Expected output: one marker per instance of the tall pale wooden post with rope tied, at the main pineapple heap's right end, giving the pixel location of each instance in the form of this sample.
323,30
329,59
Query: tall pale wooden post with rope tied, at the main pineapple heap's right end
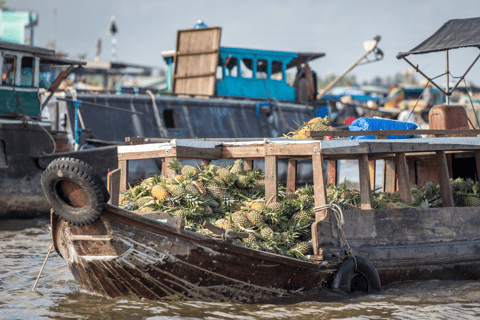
320,194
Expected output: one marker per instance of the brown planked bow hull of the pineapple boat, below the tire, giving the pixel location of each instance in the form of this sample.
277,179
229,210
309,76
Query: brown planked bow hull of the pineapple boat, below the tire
124,254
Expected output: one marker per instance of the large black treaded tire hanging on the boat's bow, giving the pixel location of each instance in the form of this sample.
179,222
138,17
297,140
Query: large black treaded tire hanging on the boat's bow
84,176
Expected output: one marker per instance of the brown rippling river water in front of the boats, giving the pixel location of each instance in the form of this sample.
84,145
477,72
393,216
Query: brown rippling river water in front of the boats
23,244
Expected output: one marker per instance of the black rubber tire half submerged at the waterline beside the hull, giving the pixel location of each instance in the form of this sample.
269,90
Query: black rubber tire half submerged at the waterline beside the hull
345,274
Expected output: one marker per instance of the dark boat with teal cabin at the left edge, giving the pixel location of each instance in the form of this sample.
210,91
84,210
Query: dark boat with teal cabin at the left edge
27,142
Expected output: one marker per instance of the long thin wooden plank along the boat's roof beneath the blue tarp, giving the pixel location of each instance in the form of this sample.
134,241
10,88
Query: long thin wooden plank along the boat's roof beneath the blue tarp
315,134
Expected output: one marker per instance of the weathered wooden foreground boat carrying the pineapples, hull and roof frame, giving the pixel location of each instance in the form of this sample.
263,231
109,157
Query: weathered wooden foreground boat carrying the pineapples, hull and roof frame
123,253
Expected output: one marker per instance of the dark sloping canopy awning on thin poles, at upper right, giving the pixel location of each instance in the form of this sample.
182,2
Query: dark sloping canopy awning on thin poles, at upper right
454,34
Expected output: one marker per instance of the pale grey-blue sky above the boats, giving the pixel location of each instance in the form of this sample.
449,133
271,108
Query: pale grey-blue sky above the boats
337,28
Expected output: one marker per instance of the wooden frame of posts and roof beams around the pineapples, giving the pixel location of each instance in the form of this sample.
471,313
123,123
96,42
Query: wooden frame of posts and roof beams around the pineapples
363,151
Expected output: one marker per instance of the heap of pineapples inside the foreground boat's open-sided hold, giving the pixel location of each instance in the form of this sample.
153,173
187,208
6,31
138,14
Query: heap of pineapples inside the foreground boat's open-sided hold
234,198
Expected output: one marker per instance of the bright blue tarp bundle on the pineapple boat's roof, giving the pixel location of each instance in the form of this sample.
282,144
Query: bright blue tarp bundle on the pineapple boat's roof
372,124
